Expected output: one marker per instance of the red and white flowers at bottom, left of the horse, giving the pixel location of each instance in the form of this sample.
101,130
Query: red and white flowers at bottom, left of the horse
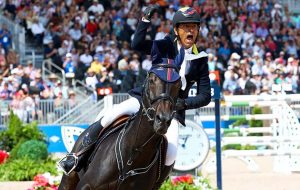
45,182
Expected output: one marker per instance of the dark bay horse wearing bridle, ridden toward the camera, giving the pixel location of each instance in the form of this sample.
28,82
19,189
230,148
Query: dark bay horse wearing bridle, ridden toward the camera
132,157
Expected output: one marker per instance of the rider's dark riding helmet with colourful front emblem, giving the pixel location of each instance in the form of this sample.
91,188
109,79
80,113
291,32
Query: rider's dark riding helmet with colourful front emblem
186,15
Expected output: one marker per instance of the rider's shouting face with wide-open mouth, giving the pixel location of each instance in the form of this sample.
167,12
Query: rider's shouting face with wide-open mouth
187,34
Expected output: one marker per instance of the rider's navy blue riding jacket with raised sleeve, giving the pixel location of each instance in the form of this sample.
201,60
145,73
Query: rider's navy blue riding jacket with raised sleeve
198,71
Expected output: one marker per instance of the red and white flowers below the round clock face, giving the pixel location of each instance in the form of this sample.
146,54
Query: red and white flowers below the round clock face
186,182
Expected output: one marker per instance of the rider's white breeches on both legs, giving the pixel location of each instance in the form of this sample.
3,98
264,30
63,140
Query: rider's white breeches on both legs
131,106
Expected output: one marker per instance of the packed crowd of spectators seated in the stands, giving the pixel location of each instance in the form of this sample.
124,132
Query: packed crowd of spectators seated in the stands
253,44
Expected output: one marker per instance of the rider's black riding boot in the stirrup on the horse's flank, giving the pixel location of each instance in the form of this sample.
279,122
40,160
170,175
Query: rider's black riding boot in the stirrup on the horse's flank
83,146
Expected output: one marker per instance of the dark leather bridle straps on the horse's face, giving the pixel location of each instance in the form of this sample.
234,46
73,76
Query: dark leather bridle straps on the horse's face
149,105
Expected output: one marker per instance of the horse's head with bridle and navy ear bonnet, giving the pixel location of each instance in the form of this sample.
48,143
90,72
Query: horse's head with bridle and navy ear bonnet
160,95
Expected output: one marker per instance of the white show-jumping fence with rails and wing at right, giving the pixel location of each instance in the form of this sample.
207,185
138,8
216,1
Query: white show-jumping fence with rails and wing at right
282,138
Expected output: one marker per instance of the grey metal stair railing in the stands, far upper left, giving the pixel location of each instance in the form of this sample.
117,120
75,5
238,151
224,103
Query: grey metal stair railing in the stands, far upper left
18,36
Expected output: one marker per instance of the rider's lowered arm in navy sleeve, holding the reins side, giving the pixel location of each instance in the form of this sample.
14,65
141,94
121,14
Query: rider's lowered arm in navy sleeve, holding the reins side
203,96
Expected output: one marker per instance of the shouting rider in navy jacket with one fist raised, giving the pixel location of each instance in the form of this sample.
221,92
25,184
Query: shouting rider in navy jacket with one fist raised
194,69
